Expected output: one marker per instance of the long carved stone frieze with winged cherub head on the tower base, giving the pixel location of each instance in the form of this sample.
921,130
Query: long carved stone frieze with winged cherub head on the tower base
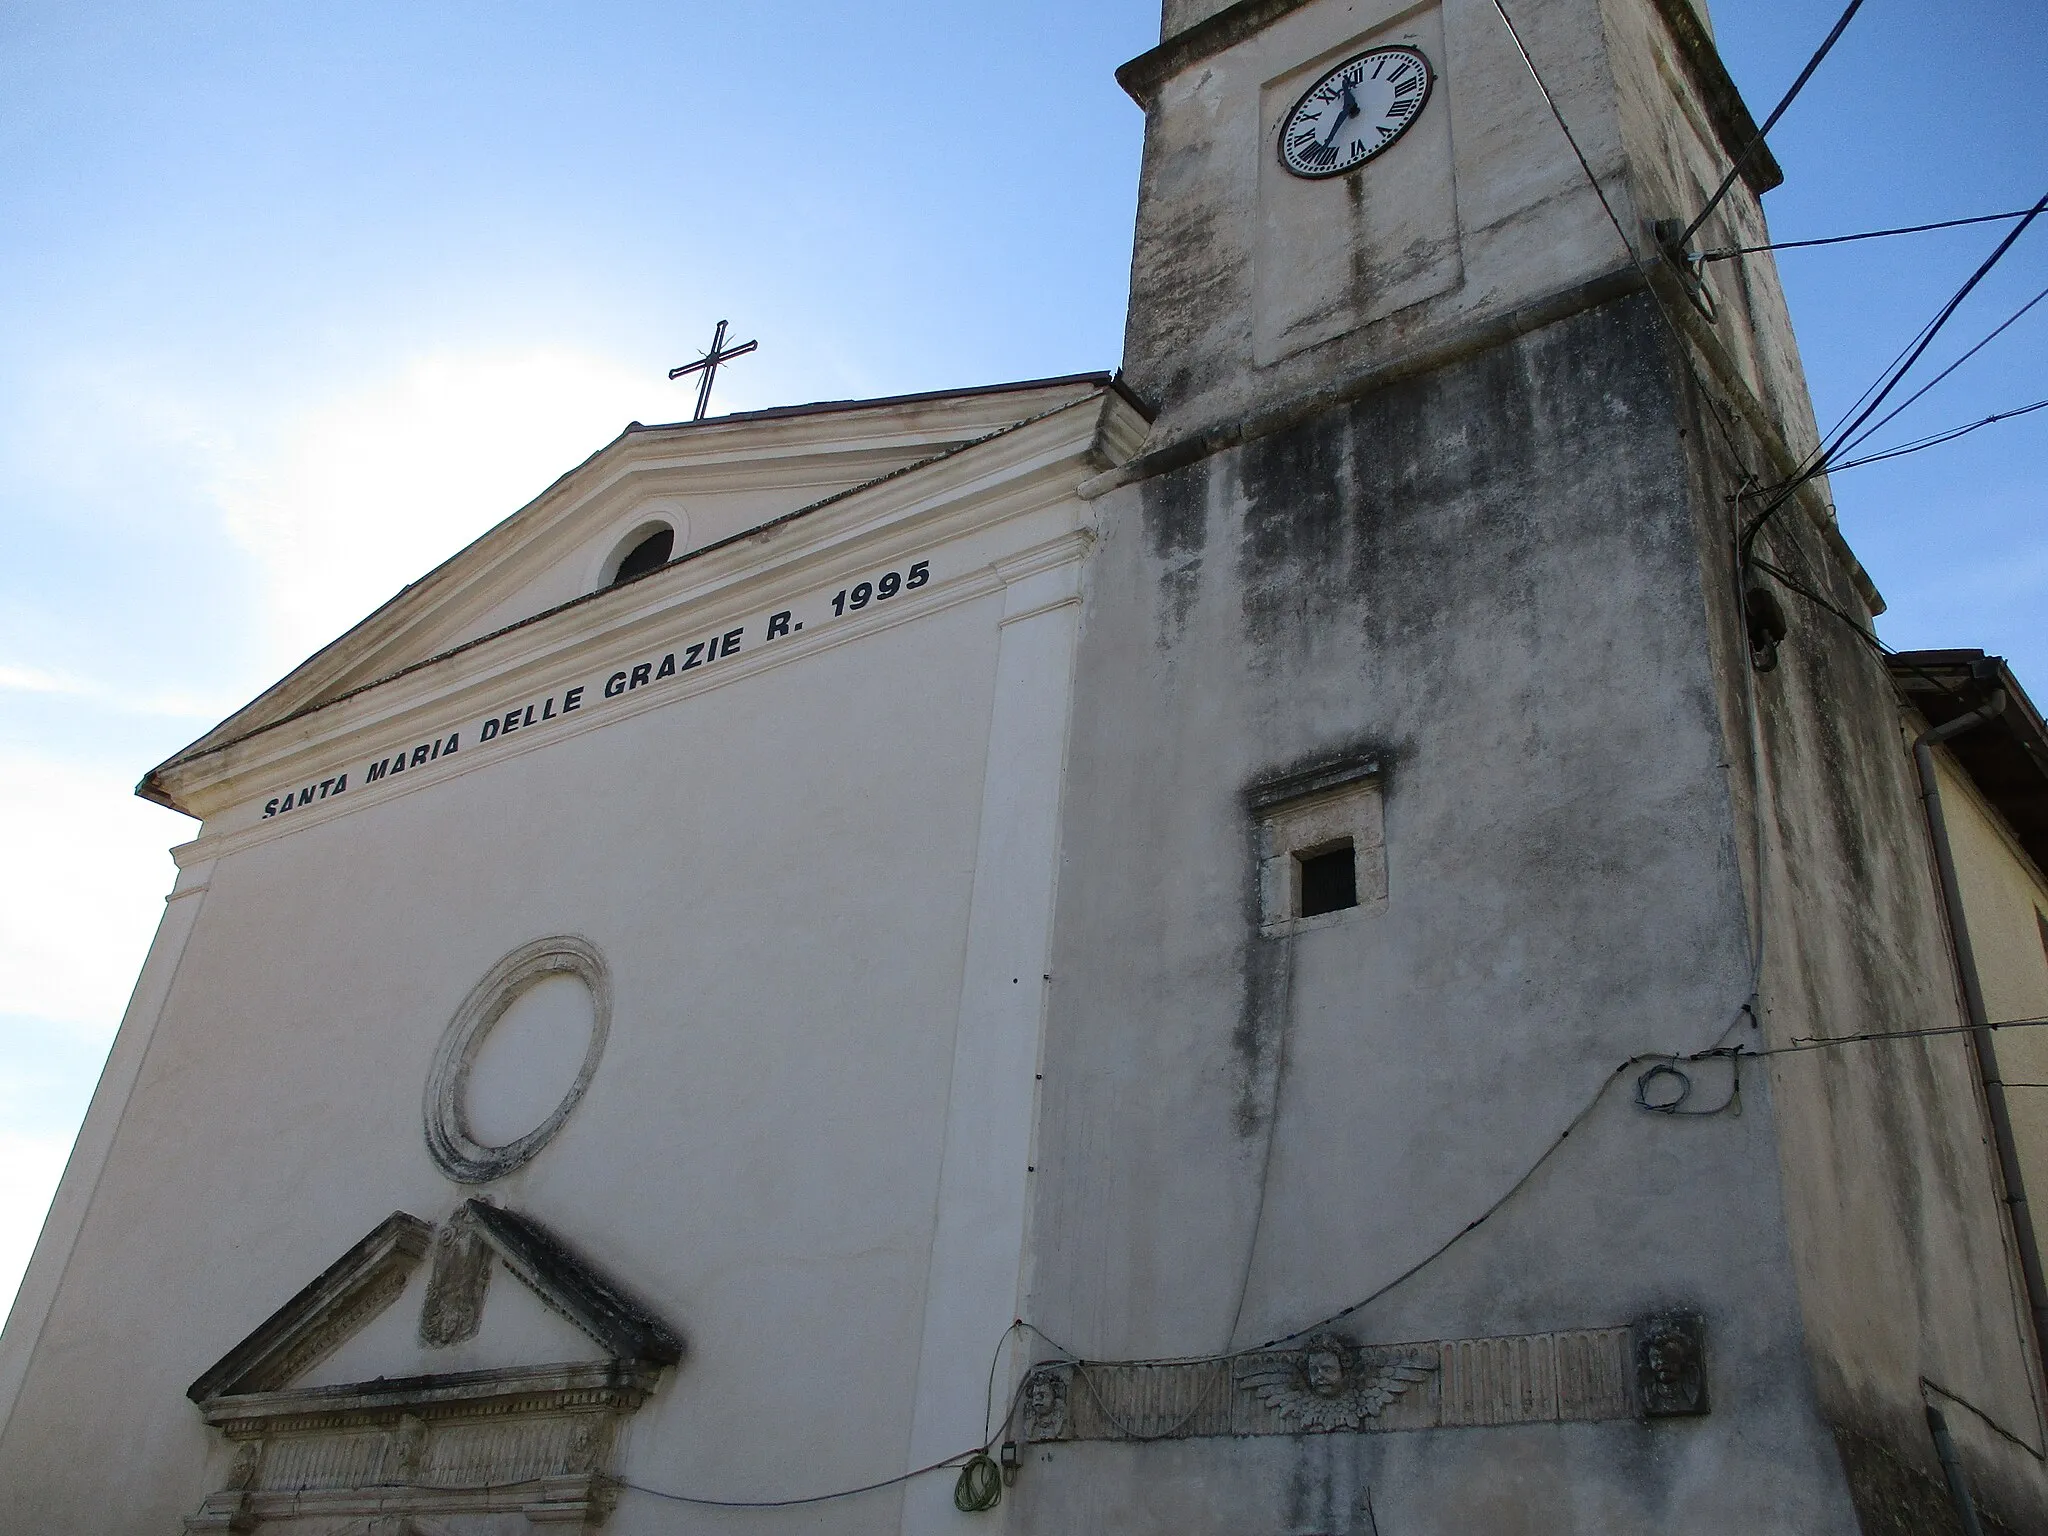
1334,1385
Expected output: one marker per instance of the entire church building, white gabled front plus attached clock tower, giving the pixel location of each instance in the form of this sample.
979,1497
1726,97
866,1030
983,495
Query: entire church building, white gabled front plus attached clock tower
1230,947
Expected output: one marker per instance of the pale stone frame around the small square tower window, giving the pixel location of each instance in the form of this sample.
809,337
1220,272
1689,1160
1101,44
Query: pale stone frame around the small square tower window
1306,814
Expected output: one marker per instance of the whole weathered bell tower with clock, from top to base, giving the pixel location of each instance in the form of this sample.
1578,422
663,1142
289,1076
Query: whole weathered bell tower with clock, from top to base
1426,761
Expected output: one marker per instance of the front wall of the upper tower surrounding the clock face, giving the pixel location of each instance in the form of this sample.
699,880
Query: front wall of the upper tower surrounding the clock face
1248,288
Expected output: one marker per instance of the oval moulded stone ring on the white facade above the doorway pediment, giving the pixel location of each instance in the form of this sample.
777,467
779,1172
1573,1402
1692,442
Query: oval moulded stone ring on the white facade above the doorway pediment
454,1148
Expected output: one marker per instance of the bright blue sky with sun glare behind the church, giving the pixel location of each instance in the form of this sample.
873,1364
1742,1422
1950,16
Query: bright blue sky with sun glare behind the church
296,300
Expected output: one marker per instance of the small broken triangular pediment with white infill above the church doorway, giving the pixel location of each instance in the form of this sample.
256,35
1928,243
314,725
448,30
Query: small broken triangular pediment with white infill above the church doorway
490,1291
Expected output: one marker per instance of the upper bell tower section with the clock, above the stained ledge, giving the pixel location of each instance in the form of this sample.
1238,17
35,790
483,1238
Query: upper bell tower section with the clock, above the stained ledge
1293,249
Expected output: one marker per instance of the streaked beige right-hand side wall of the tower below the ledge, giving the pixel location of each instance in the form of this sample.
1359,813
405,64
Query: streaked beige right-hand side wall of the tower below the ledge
1908,1283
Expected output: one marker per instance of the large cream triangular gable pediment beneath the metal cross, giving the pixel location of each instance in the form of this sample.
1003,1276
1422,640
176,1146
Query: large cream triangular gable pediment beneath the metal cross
712,482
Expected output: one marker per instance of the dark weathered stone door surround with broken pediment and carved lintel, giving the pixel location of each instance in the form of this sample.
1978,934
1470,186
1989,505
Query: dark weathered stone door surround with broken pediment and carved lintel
431,1455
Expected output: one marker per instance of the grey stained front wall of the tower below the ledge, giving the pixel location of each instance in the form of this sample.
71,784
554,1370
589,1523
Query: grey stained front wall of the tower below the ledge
1490,579
